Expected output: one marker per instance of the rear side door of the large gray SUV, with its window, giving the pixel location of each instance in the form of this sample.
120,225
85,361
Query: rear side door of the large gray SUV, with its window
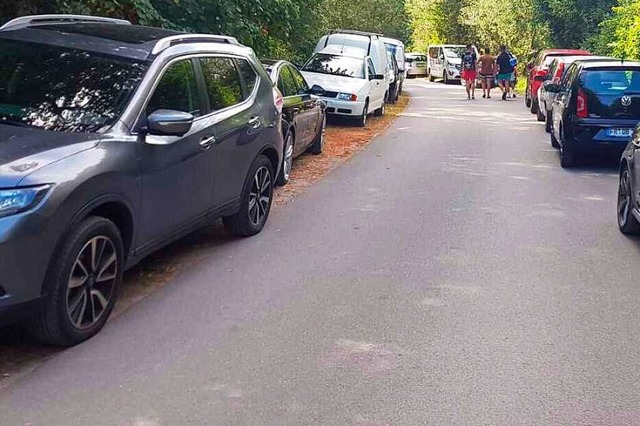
231,86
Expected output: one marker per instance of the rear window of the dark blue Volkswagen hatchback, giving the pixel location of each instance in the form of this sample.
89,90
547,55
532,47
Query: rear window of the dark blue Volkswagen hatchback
611,82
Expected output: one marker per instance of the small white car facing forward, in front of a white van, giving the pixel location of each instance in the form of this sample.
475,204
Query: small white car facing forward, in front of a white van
348,76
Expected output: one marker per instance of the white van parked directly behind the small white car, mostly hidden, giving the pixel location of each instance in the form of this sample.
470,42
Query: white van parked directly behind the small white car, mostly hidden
368,42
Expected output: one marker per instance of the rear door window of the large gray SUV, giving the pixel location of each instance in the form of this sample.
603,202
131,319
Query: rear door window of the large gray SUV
223,82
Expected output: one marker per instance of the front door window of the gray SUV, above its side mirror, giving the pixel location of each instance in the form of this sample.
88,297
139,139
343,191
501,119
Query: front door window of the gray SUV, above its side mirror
177,90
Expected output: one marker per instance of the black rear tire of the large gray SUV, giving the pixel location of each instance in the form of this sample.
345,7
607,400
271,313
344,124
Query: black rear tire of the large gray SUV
242,224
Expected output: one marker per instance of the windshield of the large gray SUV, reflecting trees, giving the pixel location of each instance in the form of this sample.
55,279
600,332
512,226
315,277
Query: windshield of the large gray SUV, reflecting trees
63,89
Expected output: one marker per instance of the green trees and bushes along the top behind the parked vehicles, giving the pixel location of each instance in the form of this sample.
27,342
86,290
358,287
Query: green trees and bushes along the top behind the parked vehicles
289,29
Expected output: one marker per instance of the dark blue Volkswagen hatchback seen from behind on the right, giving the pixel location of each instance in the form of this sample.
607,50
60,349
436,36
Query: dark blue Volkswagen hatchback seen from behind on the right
597,106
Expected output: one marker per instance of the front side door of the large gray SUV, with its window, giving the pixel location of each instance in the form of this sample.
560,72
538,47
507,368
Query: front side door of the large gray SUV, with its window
177,171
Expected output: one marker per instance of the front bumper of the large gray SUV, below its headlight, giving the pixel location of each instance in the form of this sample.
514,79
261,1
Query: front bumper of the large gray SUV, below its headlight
26,245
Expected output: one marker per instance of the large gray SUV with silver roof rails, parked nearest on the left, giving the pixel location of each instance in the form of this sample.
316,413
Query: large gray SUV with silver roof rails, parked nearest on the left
116,140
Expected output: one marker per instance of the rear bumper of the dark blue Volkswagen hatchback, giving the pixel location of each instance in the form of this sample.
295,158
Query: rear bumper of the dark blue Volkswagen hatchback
591,135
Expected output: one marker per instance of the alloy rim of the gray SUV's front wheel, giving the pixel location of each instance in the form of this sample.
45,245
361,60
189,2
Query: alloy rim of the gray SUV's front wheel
91,282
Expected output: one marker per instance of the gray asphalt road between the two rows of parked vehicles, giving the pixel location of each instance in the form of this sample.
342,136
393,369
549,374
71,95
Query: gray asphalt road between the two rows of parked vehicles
451,273
